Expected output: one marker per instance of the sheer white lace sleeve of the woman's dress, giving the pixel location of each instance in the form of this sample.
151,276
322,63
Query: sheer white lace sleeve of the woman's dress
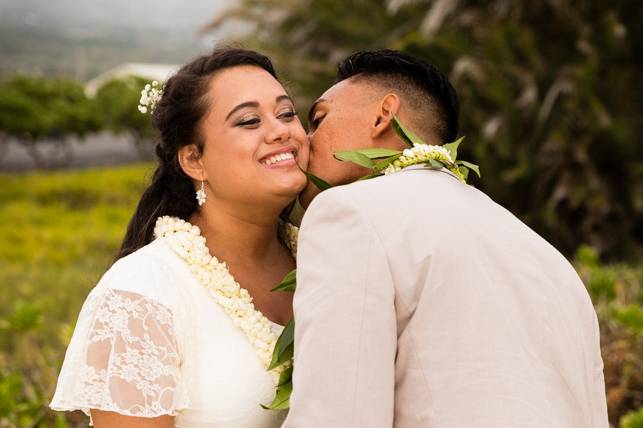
123,358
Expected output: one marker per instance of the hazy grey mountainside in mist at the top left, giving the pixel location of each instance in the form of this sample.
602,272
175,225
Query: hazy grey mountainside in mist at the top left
82,38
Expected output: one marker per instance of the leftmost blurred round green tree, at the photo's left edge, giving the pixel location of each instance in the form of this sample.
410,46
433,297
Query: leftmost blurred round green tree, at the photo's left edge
43,113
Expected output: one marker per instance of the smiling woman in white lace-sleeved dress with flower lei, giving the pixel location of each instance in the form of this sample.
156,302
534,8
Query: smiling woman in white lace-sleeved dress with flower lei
180,330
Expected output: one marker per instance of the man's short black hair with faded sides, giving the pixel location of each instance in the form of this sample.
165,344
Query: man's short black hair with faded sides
428,91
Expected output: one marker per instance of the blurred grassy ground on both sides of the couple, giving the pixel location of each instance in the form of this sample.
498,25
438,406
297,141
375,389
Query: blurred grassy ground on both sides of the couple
60,231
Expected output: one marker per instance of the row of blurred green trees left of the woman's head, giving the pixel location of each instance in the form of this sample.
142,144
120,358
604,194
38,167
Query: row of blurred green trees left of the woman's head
43,113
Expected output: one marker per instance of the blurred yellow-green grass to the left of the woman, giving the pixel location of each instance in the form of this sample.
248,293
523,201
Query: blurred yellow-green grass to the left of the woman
59,232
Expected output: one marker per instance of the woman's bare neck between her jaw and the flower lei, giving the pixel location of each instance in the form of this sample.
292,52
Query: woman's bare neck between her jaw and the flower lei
246,233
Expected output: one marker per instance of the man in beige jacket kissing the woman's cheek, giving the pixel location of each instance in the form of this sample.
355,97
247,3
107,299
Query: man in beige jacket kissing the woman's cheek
420,302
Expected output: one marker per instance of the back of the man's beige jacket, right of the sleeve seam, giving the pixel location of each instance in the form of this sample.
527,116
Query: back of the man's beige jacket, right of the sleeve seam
494,326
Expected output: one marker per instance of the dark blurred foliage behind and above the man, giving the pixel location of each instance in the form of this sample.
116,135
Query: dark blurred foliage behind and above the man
550,95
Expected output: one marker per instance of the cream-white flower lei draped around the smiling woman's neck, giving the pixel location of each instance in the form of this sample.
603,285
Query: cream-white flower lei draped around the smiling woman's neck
185,240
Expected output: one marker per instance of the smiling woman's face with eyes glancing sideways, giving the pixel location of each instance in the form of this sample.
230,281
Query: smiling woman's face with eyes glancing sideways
254,142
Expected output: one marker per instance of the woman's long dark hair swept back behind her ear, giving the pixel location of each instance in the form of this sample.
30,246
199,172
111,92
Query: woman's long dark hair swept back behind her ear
177,117
